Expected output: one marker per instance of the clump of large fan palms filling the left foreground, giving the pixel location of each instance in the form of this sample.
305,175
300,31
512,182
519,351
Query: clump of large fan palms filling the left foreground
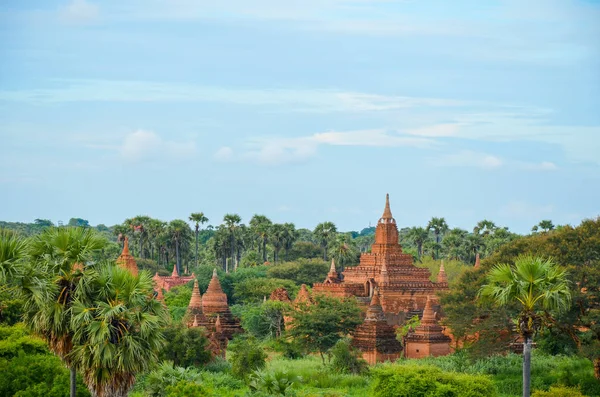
99,319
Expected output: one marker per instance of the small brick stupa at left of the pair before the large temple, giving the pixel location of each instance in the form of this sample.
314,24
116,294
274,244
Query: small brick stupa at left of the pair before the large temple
375,338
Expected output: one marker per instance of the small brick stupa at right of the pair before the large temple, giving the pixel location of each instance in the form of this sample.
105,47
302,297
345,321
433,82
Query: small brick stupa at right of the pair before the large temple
428,338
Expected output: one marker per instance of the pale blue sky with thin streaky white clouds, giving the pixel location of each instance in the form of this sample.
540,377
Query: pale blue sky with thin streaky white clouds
303,110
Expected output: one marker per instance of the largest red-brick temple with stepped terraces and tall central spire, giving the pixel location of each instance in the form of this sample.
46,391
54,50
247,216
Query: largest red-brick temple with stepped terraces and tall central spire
403,287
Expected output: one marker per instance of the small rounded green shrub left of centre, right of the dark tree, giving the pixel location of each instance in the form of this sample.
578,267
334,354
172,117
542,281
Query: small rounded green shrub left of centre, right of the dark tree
246,356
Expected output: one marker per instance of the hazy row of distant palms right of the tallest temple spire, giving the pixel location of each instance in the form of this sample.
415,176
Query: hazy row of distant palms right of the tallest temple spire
438,240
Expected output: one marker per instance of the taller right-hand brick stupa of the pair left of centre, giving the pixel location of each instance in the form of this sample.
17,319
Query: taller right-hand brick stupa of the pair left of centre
214,305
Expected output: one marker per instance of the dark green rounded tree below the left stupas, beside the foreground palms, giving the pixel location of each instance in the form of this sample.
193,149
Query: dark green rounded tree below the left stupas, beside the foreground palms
185,347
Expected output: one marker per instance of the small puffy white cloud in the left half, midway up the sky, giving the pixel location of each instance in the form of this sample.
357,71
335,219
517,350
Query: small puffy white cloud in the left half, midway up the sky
144,145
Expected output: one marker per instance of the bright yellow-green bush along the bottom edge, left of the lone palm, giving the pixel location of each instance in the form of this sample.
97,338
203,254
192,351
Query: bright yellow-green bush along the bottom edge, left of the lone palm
428,381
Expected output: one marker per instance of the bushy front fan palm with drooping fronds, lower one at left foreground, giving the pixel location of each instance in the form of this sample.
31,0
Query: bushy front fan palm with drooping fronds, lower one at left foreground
116,327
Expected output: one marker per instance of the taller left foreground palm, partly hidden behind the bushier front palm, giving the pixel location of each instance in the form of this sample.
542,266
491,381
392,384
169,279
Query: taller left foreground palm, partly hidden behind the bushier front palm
62,253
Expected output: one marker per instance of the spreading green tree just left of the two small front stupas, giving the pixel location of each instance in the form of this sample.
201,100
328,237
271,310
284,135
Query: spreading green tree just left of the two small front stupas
319,326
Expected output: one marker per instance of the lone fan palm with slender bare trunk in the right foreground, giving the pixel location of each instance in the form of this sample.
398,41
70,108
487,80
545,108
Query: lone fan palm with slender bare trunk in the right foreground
538,286
